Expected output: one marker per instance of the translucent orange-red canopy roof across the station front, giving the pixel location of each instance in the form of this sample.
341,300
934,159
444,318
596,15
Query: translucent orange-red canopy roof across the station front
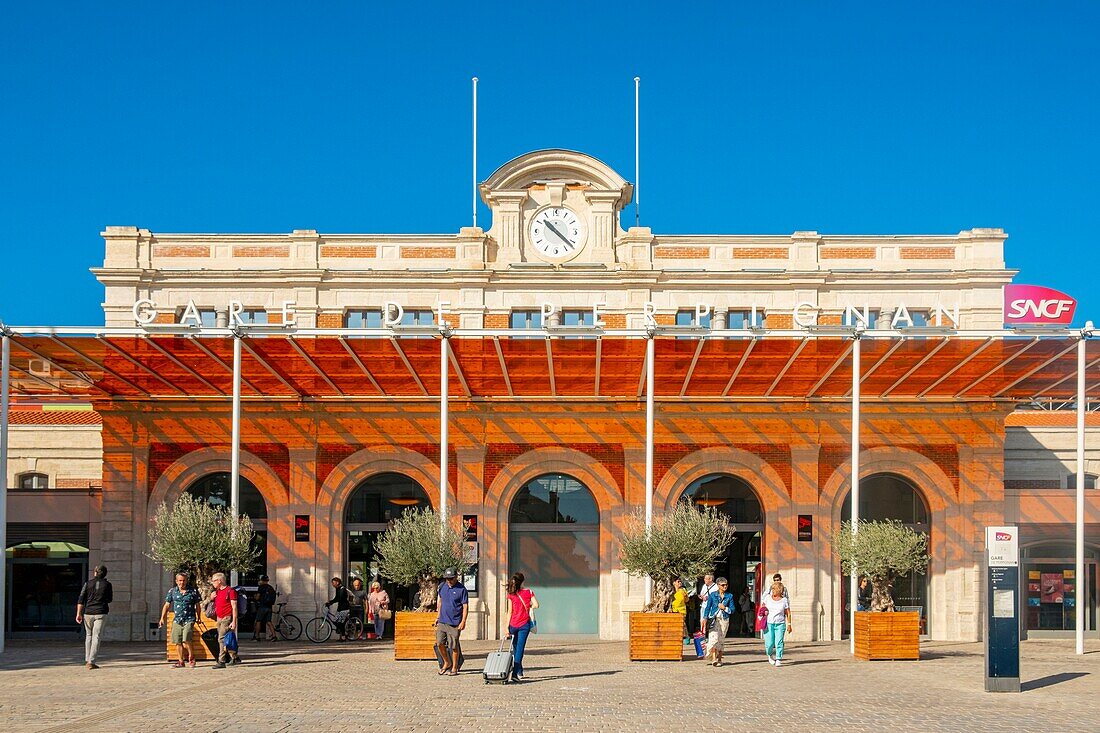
346,364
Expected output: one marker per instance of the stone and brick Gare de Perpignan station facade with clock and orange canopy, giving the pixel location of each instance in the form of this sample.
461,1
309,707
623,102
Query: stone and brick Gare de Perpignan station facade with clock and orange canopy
537,332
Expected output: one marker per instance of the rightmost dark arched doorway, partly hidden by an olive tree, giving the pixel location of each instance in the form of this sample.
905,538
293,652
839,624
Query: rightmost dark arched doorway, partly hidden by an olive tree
892,497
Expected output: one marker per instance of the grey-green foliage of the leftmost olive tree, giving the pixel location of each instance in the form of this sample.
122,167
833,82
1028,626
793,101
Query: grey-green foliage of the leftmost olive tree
201,540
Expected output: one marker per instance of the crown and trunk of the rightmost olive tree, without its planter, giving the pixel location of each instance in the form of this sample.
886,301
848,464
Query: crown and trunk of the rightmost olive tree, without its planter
884,552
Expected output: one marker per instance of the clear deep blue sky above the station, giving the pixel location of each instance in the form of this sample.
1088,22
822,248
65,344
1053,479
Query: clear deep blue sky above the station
841,117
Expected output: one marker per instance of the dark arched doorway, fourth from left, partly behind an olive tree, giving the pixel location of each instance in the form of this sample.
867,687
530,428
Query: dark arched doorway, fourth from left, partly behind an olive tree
734,498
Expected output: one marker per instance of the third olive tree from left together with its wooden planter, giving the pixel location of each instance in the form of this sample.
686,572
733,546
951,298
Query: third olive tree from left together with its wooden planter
684,543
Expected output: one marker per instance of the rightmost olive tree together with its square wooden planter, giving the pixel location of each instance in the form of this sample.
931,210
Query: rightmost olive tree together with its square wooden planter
884,552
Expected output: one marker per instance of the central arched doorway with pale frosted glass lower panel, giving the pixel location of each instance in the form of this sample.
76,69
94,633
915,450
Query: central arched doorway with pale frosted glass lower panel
555,542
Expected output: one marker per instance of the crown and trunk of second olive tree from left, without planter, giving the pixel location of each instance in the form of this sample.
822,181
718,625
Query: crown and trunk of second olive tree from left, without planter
416,550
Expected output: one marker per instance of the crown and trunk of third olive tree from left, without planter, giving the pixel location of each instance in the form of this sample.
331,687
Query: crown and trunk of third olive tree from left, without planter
684,543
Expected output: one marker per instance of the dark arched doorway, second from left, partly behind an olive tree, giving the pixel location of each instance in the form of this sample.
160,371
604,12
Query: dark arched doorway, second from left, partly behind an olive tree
373,505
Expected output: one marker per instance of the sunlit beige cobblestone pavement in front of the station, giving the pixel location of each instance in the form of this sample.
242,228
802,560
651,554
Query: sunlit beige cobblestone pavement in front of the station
573,685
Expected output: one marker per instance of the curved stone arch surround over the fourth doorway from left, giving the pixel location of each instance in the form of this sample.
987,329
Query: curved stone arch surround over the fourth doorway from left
765,482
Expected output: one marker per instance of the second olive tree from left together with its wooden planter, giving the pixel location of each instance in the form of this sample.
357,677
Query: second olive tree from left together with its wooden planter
416,550
